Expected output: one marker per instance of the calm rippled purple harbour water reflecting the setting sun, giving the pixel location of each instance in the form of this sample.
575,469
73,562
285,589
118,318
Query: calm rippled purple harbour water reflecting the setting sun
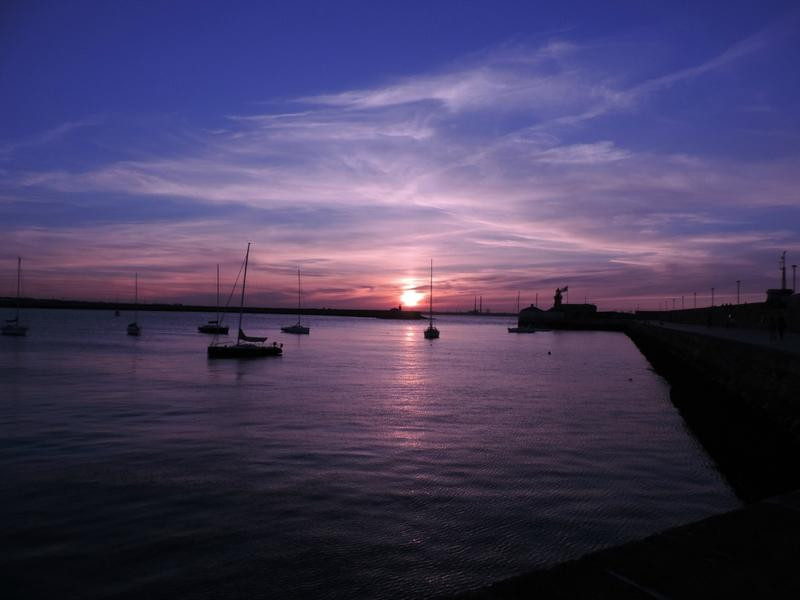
365,462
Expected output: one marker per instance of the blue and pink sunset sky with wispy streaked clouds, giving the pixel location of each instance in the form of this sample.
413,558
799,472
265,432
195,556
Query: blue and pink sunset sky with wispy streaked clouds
634,151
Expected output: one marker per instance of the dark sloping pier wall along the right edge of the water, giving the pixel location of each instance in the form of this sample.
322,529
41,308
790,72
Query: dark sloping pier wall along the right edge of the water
737,393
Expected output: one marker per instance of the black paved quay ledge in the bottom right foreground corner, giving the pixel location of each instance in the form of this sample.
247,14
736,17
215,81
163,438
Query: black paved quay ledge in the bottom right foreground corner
751,552
